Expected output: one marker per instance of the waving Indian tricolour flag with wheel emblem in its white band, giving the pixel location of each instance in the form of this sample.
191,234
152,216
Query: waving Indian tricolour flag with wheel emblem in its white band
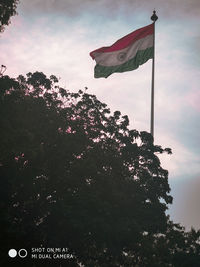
126,54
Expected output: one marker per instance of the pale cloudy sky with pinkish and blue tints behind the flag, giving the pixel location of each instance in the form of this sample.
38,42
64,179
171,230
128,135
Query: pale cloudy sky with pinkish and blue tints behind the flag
56,37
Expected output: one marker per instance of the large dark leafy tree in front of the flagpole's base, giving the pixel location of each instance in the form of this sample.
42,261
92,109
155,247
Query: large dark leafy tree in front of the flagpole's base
73,175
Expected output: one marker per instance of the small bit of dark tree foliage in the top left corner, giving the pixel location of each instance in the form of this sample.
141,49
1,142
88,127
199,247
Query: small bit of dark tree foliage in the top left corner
7,10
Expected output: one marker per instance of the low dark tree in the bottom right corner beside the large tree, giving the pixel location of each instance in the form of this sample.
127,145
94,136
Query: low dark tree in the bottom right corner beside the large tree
175,247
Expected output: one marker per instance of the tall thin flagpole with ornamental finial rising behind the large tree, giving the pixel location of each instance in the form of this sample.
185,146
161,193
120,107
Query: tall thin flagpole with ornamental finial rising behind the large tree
154,18
